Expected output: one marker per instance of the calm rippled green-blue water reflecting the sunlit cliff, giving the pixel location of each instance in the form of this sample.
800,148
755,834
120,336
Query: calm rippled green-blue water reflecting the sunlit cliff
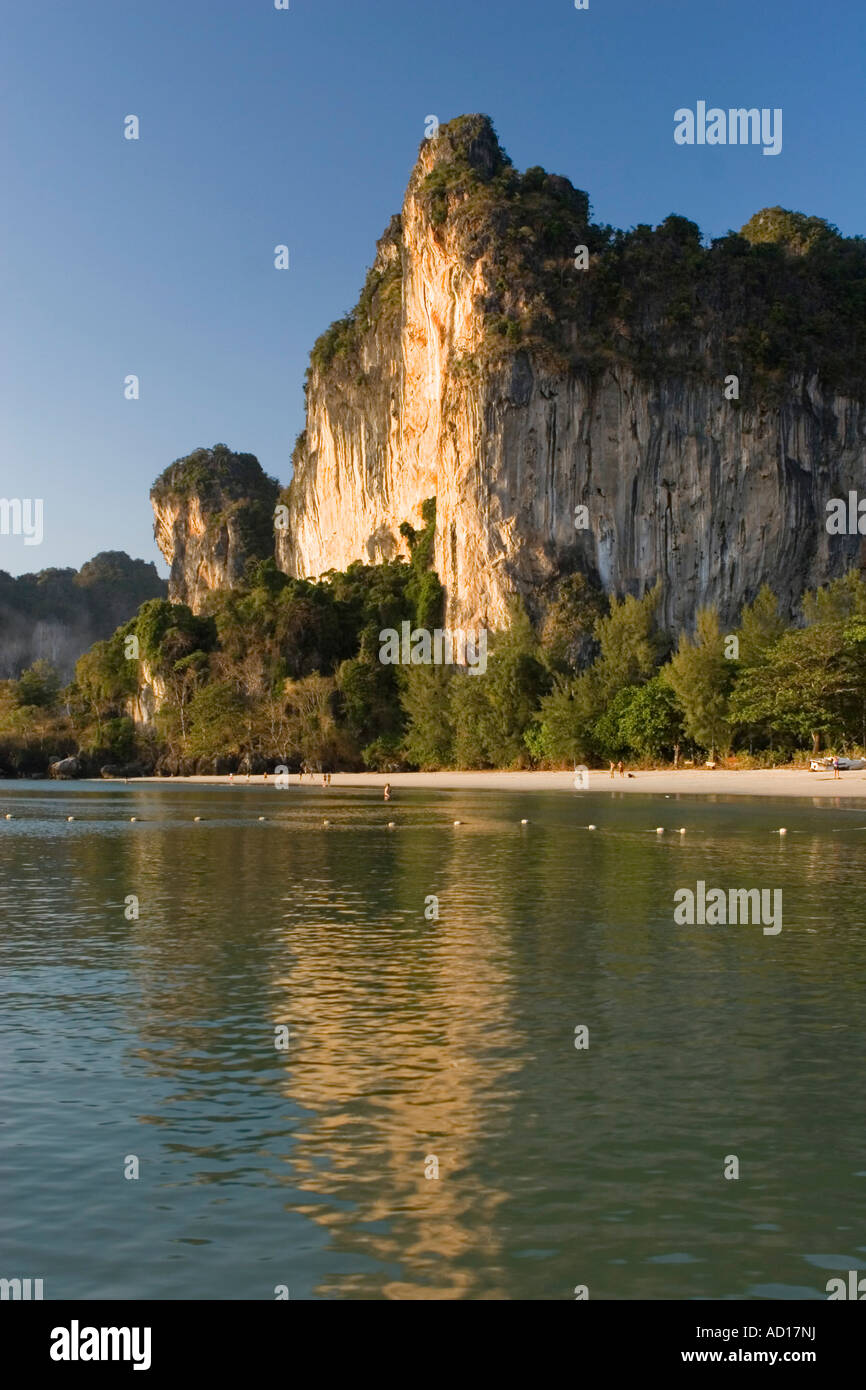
415,1039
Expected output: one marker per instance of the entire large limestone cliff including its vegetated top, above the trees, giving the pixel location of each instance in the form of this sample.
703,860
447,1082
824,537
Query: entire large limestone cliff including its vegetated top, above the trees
487,368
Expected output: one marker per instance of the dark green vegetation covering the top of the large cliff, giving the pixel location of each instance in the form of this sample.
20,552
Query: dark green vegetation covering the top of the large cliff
786,295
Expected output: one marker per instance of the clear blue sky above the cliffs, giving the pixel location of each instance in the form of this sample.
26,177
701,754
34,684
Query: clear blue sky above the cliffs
263,127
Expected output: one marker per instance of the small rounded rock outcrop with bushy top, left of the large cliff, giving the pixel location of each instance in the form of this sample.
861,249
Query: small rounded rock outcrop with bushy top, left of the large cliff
213,516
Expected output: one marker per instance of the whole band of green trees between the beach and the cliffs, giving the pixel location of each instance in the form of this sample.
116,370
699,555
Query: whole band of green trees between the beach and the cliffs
287,672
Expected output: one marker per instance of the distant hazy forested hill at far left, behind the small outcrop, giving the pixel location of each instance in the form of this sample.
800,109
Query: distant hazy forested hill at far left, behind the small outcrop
58,615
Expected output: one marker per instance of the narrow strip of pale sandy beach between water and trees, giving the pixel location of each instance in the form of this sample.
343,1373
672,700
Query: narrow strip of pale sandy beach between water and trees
686,782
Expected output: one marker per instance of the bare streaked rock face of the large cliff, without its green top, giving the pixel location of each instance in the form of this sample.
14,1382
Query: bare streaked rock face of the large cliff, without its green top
676,482
